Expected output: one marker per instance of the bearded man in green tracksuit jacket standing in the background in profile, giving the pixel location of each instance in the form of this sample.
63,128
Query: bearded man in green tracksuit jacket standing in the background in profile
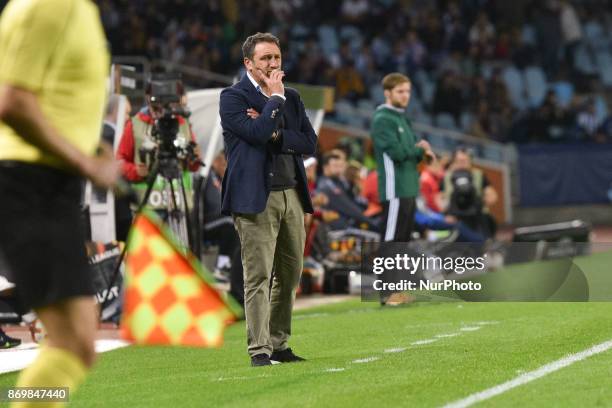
397,154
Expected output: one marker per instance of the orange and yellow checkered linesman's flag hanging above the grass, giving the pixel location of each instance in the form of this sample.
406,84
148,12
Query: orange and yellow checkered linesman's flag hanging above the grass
169,298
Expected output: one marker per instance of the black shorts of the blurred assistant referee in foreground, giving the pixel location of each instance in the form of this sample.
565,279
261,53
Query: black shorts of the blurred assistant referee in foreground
42,237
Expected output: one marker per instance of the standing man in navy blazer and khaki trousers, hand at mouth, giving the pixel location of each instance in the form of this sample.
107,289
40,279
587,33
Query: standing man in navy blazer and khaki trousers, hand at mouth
266,133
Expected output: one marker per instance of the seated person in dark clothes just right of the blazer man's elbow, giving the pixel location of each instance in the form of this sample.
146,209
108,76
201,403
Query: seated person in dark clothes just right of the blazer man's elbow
331,184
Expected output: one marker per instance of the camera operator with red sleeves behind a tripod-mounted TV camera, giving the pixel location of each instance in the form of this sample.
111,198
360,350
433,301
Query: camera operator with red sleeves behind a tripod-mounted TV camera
161,129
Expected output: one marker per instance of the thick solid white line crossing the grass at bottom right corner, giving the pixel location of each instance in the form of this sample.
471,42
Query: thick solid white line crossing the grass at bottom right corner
530,376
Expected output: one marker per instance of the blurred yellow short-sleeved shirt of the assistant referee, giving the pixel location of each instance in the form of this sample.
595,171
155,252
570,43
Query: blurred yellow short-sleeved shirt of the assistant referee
57,50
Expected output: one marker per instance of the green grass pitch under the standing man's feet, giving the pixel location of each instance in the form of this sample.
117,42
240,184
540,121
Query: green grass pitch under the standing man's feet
361,355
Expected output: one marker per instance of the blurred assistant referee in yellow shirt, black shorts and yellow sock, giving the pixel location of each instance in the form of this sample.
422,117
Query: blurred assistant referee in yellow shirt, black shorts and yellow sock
53,70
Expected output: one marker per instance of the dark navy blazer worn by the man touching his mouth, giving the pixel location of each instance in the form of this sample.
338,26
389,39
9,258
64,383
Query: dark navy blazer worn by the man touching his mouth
250,154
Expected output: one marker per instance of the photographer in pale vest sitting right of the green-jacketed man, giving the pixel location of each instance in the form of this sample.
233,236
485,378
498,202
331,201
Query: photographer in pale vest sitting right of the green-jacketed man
469,194
